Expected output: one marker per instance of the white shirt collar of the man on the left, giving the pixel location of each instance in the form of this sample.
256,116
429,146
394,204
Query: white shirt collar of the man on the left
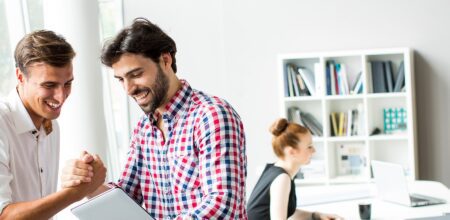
21,118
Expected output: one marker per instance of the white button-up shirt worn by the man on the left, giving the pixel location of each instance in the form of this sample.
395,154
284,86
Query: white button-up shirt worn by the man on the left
29,158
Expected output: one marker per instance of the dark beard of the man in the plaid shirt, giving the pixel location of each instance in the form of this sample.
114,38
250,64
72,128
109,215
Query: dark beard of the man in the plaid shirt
158,90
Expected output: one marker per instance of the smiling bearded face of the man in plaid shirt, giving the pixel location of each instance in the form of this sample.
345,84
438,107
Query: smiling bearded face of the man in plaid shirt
143,80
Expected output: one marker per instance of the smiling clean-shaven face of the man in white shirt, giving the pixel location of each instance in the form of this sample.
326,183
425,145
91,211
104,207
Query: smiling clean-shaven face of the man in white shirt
44,89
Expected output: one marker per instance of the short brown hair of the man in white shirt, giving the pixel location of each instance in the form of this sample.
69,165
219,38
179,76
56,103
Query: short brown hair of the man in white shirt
43,46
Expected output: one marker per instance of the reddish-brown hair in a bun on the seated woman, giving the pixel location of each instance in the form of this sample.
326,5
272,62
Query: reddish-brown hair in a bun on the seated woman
285,134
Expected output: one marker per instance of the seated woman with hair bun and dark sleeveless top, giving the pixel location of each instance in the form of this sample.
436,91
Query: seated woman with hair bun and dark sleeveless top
274,195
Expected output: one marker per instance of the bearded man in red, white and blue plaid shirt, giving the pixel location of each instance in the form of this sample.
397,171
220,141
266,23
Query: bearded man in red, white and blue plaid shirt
187,156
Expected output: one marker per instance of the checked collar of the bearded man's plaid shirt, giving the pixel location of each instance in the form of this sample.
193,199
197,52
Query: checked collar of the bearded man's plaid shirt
177,104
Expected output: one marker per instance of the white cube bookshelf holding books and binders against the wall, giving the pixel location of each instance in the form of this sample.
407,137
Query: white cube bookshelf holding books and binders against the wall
360,89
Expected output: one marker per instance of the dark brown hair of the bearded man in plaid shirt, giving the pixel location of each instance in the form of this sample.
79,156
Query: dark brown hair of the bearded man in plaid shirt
142,37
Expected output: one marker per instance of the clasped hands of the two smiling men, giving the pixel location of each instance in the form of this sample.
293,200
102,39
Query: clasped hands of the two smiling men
84,175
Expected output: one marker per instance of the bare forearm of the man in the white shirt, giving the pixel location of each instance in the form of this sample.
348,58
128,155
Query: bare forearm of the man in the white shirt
43,208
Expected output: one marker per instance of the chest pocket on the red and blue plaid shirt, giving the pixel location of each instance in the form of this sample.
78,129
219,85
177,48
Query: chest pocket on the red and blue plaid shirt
185,173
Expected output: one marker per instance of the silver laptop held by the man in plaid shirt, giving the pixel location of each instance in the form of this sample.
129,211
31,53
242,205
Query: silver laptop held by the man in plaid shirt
113,204
